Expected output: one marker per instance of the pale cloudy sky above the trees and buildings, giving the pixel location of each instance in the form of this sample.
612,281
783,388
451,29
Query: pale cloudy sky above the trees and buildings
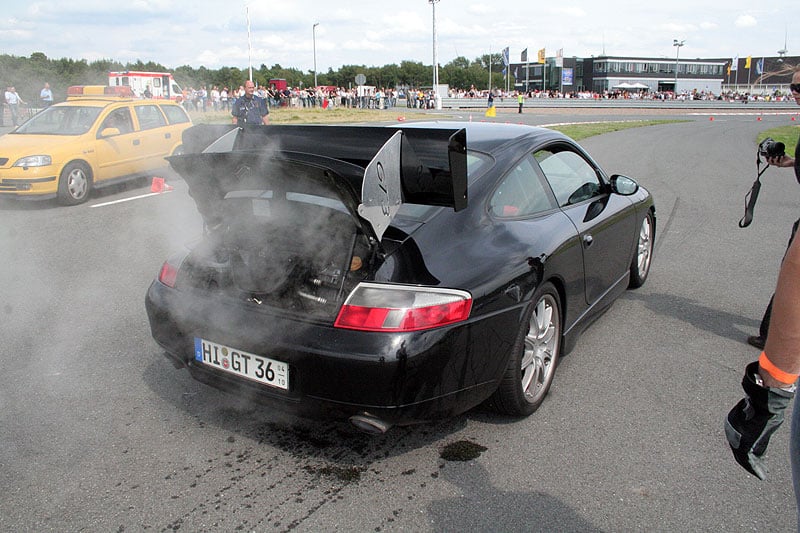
214,34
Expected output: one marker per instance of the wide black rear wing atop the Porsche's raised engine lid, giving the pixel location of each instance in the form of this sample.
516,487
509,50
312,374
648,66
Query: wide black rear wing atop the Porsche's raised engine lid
431,166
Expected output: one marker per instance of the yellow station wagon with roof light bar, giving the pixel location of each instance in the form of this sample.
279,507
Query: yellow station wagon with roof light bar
98,137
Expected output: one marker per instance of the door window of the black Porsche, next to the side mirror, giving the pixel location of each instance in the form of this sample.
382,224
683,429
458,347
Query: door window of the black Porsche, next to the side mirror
571,177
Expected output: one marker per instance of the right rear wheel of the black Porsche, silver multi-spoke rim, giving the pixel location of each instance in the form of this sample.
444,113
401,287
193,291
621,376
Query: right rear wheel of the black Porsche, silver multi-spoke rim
534,358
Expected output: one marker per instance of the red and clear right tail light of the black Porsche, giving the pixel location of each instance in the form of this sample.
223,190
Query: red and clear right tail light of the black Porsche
383,307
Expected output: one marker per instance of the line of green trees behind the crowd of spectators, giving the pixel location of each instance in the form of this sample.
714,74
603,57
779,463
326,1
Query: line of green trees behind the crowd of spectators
29,74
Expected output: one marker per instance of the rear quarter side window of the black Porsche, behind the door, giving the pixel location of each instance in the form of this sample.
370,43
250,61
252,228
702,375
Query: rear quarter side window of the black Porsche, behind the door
521,193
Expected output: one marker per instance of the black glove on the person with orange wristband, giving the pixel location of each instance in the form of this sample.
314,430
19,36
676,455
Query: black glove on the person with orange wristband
753,420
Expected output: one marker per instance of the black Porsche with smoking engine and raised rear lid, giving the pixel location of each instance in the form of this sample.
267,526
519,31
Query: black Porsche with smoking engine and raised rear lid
393,275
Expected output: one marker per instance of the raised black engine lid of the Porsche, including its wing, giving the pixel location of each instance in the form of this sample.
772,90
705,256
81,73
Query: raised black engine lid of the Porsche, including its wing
373,170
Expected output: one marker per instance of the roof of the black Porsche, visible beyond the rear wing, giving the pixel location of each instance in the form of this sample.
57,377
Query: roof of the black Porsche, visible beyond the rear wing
491,137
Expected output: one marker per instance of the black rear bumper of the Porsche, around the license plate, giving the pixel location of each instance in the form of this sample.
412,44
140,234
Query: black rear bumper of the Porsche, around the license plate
336,373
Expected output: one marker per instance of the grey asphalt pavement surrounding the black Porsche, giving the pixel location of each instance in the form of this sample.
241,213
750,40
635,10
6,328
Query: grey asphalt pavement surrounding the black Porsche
99,432
